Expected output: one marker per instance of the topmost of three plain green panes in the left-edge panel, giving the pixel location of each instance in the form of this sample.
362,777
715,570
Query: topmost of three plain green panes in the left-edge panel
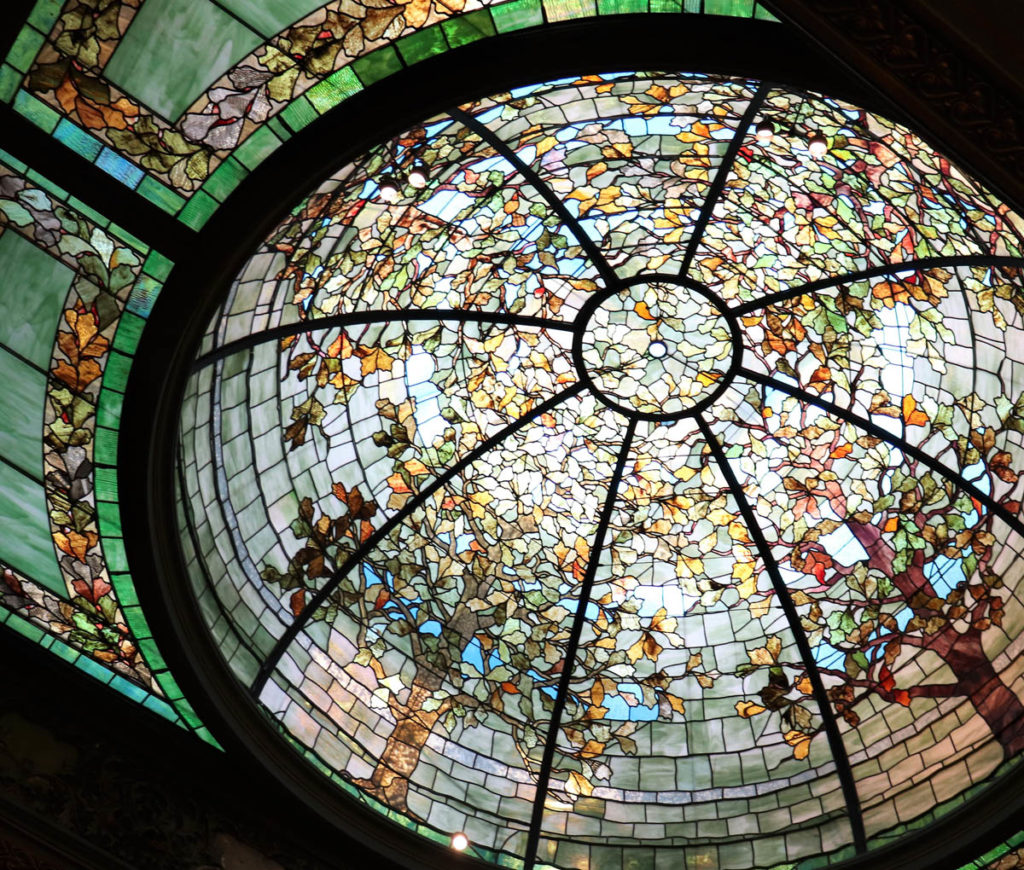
32,297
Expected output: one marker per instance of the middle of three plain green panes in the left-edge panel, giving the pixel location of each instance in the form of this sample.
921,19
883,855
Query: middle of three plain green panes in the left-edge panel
22,403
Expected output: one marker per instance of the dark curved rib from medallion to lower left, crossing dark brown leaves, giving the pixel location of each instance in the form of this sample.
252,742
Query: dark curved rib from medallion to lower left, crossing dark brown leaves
401,516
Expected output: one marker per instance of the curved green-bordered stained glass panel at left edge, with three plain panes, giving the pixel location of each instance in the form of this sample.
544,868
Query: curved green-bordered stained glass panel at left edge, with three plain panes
77,291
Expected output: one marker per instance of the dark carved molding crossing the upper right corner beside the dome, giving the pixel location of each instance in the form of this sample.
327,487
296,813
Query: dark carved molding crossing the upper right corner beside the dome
950,94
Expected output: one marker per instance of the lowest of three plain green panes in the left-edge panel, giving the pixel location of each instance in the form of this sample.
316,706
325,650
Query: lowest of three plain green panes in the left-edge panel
26,544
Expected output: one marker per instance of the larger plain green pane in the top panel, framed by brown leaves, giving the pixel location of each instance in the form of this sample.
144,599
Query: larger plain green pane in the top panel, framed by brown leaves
175,51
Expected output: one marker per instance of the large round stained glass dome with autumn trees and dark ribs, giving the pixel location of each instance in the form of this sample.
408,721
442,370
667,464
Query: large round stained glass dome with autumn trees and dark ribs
641,492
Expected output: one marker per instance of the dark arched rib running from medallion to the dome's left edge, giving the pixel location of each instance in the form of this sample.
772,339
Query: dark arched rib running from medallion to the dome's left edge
374,317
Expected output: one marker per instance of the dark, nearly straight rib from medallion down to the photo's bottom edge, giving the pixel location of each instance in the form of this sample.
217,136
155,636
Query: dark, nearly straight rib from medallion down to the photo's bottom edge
534,838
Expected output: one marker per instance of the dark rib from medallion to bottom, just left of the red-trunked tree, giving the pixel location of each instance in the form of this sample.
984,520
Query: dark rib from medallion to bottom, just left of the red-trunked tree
843,769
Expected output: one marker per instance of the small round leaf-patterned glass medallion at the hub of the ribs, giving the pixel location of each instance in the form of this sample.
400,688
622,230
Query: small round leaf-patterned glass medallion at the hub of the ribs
657,349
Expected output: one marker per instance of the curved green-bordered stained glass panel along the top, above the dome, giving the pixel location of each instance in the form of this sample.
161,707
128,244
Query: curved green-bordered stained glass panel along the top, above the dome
181,100
